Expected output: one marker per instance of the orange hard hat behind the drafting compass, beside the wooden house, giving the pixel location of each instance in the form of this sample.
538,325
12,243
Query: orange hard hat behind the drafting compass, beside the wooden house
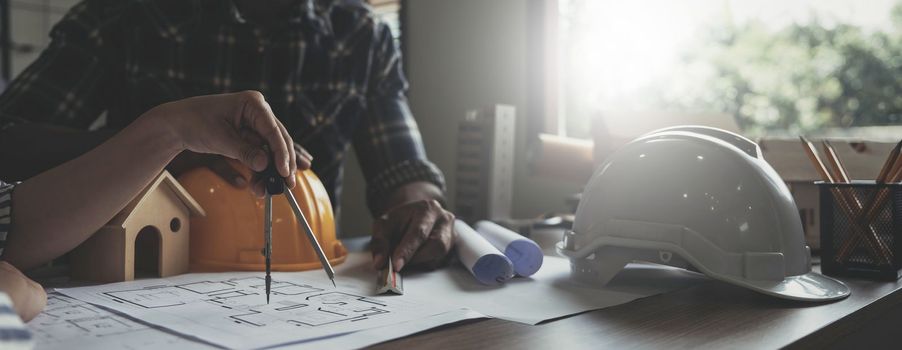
230,237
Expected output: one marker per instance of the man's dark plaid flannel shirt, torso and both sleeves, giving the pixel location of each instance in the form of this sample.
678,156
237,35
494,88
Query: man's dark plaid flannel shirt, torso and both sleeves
331,73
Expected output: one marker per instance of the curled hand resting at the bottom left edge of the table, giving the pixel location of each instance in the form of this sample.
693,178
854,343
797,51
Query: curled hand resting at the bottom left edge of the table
28,297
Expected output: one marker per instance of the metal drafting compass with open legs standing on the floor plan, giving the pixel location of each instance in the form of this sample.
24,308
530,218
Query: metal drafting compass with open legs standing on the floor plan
274,185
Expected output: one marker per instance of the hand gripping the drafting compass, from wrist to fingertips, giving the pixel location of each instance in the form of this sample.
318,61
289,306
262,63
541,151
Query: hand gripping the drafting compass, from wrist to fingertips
236,125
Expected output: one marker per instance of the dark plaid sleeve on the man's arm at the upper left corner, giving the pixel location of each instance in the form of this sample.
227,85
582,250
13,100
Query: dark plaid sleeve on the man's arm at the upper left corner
62,87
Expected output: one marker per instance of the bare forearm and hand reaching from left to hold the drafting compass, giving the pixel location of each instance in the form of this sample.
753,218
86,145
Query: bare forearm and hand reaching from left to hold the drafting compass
59,209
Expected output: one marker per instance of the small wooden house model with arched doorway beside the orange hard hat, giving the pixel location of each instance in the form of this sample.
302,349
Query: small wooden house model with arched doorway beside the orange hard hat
148,238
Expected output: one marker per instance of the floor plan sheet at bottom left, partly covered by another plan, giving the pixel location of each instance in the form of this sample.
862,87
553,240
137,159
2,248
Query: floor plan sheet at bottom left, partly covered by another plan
67,323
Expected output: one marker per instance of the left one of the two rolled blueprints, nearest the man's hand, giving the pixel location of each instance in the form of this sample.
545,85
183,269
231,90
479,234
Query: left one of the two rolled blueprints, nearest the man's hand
483,260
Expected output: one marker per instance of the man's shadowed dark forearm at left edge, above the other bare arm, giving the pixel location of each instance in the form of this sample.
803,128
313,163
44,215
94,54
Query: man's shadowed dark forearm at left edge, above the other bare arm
35,148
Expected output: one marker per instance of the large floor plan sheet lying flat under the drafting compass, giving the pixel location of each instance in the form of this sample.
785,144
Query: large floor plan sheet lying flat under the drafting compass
230,310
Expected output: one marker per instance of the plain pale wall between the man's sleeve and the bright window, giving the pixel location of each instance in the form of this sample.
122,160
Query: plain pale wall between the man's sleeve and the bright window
466,54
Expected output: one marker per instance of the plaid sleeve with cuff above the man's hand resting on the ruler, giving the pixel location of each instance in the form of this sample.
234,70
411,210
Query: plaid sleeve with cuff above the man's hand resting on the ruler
388,145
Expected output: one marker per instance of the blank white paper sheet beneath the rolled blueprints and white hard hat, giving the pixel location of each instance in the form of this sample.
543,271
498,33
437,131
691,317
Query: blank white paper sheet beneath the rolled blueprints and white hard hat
548,294
